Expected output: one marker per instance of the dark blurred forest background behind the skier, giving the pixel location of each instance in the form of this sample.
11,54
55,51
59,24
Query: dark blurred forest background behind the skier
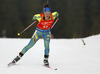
78,18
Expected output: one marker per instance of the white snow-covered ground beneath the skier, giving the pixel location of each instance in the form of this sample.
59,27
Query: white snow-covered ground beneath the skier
69,56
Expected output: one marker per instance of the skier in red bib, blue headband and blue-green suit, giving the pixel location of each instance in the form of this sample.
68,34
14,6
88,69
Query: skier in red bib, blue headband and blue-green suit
45,21
